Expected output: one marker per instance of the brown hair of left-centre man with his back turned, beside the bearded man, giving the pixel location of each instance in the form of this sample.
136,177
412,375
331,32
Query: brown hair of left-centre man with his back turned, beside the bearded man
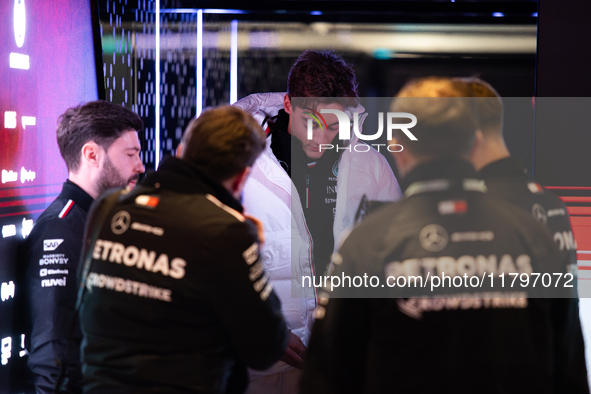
223,141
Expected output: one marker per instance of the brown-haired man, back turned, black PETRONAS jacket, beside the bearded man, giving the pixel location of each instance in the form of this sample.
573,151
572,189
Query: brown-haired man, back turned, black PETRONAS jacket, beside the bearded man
176,298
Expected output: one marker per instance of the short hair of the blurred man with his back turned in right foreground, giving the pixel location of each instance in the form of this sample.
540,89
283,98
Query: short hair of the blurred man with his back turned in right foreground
446,117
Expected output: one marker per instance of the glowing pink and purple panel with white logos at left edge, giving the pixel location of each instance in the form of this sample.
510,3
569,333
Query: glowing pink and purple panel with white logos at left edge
46,66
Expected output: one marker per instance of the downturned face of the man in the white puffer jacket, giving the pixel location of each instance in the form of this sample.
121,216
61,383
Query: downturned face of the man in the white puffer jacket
322,134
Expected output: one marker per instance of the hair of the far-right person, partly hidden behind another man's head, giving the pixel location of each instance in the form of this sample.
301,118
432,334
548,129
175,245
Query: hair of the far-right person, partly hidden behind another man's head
489,104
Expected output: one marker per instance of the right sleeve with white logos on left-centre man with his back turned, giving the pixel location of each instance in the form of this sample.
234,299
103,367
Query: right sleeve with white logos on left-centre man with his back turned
244,300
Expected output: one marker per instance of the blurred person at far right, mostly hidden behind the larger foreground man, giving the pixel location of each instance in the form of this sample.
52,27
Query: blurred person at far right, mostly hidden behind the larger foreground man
506,178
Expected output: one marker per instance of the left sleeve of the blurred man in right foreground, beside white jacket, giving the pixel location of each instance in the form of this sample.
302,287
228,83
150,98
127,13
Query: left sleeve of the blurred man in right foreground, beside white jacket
337,357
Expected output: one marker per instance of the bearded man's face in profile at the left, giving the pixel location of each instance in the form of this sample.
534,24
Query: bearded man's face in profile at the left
122,164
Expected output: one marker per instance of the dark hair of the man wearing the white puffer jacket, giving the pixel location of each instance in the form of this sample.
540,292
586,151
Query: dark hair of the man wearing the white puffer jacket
322,74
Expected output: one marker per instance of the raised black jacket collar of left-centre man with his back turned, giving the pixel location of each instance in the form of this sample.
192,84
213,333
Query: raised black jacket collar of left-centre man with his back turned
183,177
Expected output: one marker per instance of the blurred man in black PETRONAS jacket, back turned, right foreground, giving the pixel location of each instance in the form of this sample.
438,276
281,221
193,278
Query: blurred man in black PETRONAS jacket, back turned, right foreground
475,335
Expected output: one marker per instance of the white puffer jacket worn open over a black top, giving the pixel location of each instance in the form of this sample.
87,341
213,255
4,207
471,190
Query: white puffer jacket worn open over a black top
270,196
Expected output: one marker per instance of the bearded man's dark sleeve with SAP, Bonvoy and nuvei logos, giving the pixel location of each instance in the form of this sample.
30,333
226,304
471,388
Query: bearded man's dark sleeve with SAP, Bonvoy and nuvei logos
51,258
